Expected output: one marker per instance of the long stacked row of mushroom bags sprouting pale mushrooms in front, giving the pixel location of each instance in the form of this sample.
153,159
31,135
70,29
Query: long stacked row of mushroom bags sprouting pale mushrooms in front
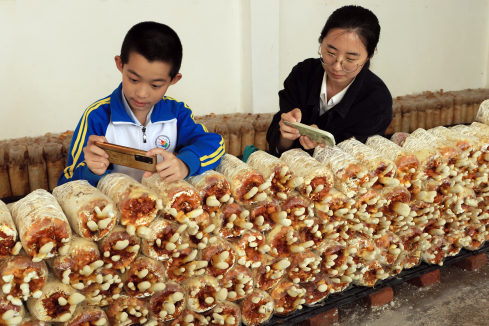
247,241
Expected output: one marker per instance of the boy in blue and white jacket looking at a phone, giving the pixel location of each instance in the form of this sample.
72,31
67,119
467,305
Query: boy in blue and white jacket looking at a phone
139,115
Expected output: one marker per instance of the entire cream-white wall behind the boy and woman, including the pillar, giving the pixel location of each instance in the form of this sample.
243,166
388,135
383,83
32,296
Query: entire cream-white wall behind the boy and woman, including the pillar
57,55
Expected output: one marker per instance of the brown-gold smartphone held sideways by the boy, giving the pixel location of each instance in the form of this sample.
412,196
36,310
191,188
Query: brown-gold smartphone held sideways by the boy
130,157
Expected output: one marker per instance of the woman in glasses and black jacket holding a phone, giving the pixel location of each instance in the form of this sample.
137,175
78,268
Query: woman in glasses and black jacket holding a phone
337,92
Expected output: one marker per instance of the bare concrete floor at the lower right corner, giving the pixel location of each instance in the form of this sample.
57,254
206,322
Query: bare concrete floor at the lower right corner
461,299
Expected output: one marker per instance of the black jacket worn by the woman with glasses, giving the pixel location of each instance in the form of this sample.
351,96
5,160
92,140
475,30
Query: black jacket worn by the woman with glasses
364,111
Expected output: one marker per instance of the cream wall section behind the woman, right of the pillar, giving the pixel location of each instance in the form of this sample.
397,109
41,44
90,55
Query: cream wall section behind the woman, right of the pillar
424,45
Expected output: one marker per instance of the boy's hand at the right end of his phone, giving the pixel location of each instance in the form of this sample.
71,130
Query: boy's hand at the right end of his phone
171,169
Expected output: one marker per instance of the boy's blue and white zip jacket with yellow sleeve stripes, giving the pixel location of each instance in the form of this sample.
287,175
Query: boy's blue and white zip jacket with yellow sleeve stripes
172,127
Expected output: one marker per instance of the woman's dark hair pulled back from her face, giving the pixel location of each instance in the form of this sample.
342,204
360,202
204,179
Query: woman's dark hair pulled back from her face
355,19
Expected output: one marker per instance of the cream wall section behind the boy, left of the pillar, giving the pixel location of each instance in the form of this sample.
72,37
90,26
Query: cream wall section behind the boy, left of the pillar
58,57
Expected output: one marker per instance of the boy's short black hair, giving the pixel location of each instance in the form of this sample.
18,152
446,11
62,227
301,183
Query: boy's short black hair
155,42
